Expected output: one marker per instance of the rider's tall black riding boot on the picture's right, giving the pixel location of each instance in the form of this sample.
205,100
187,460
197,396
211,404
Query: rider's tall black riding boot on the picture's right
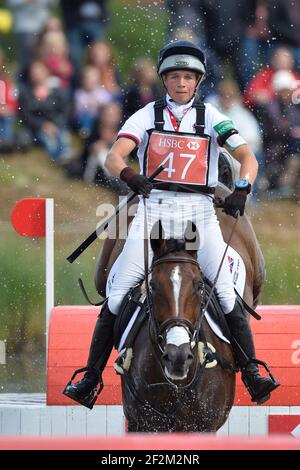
243,346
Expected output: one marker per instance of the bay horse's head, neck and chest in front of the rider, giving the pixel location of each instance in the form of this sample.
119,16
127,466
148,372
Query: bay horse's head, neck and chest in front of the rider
166,388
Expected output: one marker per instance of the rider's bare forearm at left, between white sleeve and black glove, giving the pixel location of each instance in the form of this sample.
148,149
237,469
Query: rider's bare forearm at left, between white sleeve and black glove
115,160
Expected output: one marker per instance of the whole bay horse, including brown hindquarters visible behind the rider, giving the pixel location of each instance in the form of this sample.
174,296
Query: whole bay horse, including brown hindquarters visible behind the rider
166,388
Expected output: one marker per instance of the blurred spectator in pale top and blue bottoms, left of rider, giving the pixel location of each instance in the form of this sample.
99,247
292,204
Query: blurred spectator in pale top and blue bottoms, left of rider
89,99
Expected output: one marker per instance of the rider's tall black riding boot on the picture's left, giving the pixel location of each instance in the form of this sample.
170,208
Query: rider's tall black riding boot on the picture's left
85,390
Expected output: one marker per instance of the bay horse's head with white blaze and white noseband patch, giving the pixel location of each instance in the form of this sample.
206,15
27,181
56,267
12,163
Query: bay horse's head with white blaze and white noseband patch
177,293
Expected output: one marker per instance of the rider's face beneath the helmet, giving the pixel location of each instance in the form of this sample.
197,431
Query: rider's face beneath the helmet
181,85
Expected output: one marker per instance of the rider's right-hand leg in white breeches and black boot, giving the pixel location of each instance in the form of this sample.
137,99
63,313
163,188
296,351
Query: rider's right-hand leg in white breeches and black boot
209,257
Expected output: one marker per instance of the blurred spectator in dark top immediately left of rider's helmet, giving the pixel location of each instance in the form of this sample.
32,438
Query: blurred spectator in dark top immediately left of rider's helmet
144,89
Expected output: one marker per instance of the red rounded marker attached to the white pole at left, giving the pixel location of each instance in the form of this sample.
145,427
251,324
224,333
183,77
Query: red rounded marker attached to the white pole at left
29,217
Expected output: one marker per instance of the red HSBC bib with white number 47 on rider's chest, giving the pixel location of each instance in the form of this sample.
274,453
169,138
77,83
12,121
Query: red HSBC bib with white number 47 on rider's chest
184,156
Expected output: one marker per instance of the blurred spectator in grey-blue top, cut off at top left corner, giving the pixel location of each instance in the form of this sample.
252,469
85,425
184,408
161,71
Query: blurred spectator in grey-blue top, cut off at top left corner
29,18
